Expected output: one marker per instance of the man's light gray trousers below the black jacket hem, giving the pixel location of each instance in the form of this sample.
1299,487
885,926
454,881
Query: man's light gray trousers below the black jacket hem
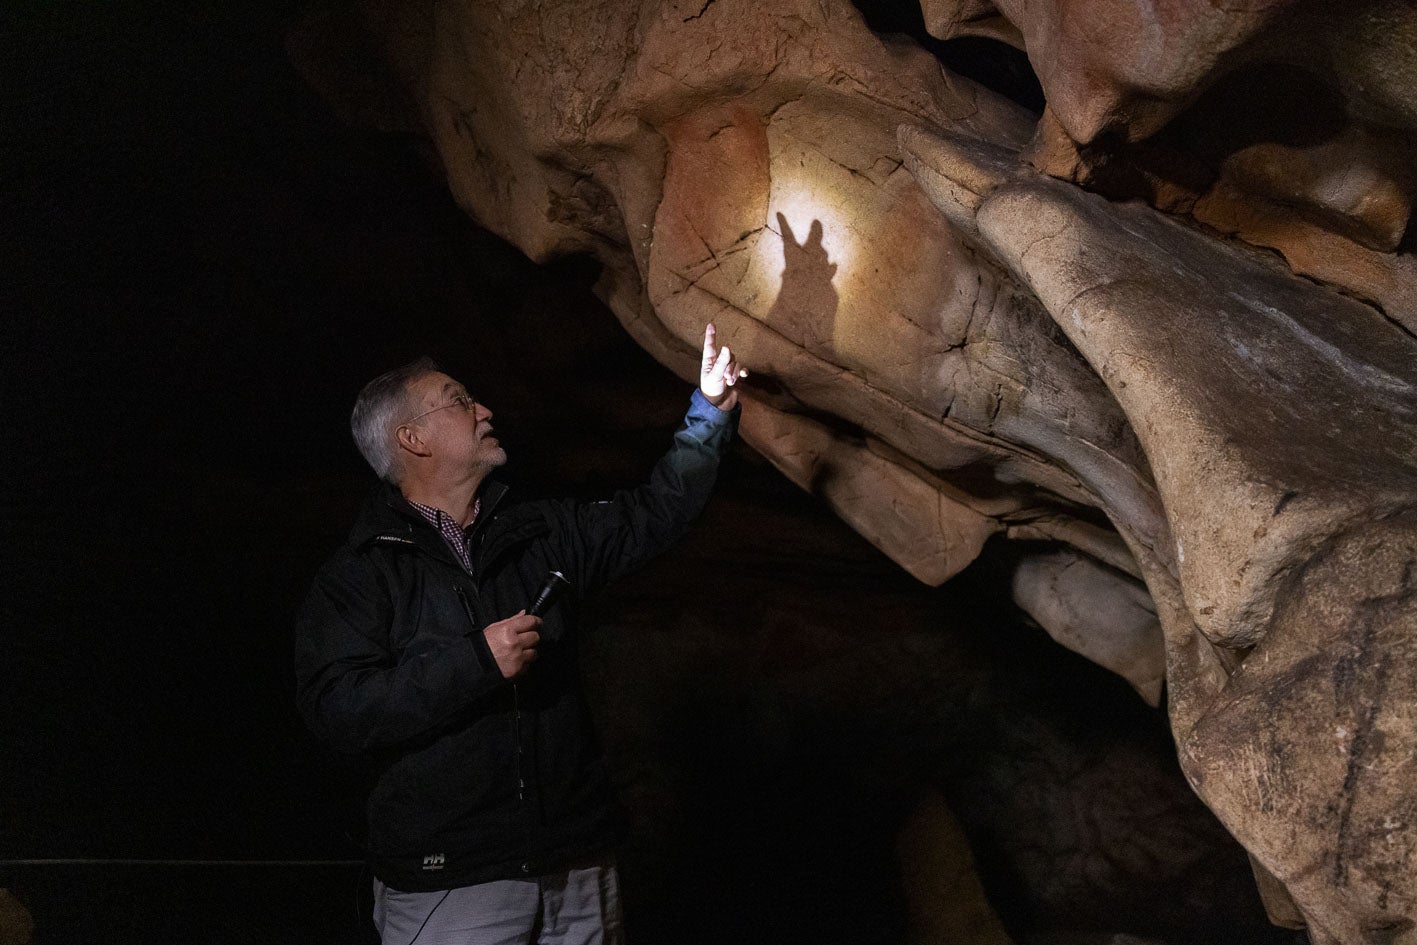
576,907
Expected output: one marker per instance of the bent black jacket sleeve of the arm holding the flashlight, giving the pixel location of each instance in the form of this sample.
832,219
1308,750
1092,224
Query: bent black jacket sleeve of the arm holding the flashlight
354,691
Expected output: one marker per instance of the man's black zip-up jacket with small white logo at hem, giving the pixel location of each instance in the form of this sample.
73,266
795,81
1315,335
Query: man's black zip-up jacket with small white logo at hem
475,779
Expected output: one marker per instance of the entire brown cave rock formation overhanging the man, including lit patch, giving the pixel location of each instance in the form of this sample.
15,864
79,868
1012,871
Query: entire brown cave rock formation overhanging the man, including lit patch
967,321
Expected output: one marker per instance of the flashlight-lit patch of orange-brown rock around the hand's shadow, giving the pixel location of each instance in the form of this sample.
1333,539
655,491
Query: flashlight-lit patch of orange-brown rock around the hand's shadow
831,247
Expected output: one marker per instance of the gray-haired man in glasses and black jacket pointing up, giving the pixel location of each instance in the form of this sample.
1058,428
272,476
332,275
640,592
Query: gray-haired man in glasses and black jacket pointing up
491,818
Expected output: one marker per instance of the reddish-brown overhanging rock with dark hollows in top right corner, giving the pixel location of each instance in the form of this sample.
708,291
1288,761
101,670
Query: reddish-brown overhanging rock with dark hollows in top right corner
1306,108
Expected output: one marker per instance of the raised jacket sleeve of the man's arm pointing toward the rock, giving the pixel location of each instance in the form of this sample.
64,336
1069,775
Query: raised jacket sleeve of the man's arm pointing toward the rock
614,538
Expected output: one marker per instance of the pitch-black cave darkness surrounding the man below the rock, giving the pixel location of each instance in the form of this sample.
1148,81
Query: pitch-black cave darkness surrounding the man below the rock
201,268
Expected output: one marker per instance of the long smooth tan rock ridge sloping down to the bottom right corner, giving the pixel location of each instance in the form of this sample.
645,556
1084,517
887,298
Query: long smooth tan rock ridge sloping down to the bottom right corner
1282,427
